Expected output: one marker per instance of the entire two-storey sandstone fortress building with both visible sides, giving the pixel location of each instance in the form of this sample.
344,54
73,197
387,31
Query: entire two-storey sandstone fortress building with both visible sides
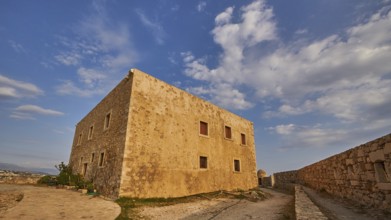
147,138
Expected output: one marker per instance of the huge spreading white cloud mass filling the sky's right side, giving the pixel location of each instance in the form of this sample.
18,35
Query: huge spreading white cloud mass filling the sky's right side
342,77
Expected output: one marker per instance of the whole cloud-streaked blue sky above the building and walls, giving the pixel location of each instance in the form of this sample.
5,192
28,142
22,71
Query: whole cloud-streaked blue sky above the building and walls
313,76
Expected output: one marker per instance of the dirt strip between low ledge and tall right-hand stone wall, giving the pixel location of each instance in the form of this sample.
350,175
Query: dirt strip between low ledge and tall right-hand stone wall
337,209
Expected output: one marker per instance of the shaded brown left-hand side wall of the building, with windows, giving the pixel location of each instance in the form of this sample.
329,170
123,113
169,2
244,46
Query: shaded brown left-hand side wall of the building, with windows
98,154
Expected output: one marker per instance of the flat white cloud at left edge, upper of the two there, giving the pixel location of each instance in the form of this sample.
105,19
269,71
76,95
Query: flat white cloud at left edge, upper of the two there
10,88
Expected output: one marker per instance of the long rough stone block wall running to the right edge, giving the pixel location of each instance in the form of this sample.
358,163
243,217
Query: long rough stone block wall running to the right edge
362,174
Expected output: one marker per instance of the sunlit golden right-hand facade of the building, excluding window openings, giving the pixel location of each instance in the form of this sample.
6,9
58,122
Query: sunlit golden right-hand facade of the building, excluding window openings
164,145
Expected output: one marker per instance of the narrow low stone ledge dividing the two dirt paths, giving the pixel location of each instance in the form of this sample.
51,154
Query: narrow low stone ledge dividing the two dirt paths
304,207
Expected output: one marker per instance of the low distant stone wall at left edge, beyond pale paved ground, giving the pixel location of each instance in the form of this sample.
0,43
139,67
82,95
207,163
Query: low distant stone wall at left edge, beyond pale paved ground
9,177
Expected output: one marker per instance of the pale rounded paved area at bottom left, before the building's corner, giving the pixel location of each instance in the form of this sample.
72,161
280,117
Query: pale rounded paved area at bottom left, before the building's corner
48,203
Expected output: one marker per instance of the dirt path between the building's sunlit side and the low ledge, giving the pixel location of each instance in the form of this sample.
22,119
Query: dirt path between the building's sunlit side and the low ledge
223,208
